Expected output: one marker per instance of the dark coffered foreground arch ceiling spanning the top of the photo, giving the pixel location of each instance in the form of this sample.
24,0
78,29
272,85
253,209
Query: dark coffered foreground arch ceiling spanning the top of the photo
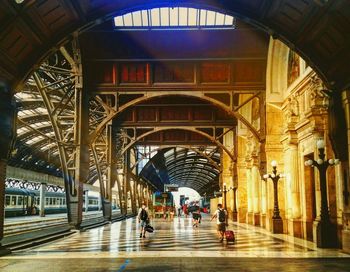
317,30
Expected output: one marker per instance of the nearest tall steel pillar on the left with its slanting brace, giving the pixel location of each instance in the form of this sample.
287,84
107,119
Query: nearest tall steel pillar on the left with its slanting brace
76,176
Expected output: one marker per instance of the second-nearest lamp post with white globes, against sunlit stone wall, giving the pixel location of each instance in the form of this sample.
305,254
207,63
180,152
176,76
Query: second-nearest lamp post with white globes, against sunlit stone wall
277,222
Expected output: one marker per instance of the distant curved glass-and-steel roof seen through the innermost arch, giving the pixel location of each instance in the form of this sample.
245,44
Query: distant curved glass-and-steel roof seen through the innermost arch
186,168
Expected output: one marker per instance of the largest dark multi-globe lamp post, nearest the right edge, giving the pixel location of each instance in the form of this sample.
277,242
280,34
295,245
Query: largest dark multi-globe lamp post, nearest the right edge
325,231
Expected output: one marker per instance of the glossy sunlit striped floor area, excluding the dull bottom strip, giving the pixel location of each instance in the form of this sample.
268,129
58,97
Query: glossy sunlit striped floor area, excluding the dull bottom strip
179,235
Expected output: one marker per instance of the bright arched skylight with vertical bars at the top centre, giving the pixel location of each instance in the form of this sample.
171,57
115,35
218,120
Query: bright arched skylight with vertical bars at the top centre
174,17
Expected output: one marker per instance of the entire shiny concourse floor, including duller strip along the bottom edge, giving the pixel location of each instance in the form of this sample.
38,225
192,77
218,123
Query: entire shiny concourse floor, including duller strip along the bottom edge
118,246
